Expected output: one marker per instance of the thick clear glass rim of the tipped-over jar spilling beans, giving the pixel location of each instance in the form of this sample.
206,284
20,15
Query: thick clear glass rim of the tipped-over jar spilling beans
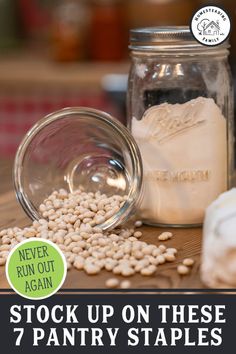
119,128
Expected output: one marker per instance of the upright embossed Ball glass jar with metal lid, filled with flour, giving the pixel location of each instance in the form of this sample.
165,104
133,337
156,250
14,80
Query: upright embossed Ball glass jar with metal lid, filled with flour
180,111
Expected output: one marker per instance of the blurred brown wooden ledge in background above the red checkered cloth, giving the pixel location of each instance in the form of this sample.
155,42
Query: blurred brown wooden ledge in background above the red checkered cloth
29,70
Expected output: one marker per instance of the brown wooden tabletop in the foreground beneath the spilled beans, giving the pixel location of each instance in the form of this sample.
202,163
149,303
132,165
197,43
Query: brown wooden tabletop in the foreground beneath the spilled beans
187,241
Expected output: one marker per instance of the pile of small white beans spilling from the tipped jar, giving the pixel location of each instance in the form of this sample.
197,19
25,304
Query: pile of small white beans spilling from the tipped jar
70,220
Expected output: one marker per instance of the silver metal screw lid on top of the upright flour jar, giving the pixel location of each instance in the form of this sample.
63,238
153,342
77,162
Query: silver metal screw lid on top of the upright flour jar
168,37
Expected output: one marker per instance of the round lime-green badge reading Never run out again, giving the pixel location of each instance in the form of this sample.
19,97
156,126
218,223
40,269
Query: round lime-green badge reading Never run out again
36,268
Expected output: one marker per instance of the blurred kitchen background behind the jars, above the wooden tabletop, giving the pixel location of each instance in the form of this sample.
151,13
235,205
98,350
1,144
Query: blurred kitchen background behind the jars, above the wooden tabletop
60,53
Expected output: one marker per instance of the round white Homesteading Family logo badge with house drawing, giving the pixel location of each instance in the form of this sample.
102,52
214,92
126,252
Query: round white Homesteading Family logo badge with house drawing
210,25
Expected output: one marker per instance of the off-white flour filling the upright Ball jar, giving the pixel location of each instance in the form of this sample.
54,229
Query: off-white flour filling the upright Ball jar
184,152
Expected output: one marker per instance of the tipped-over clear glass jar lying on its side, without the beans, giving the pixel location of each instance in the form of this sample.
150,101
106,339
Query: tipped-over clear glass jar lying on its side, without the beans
77,147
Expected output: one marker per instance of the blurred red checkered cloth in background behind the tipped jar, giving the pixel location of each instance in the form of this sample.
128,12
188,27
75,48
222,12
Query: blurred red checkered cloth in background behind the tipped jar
19,112
